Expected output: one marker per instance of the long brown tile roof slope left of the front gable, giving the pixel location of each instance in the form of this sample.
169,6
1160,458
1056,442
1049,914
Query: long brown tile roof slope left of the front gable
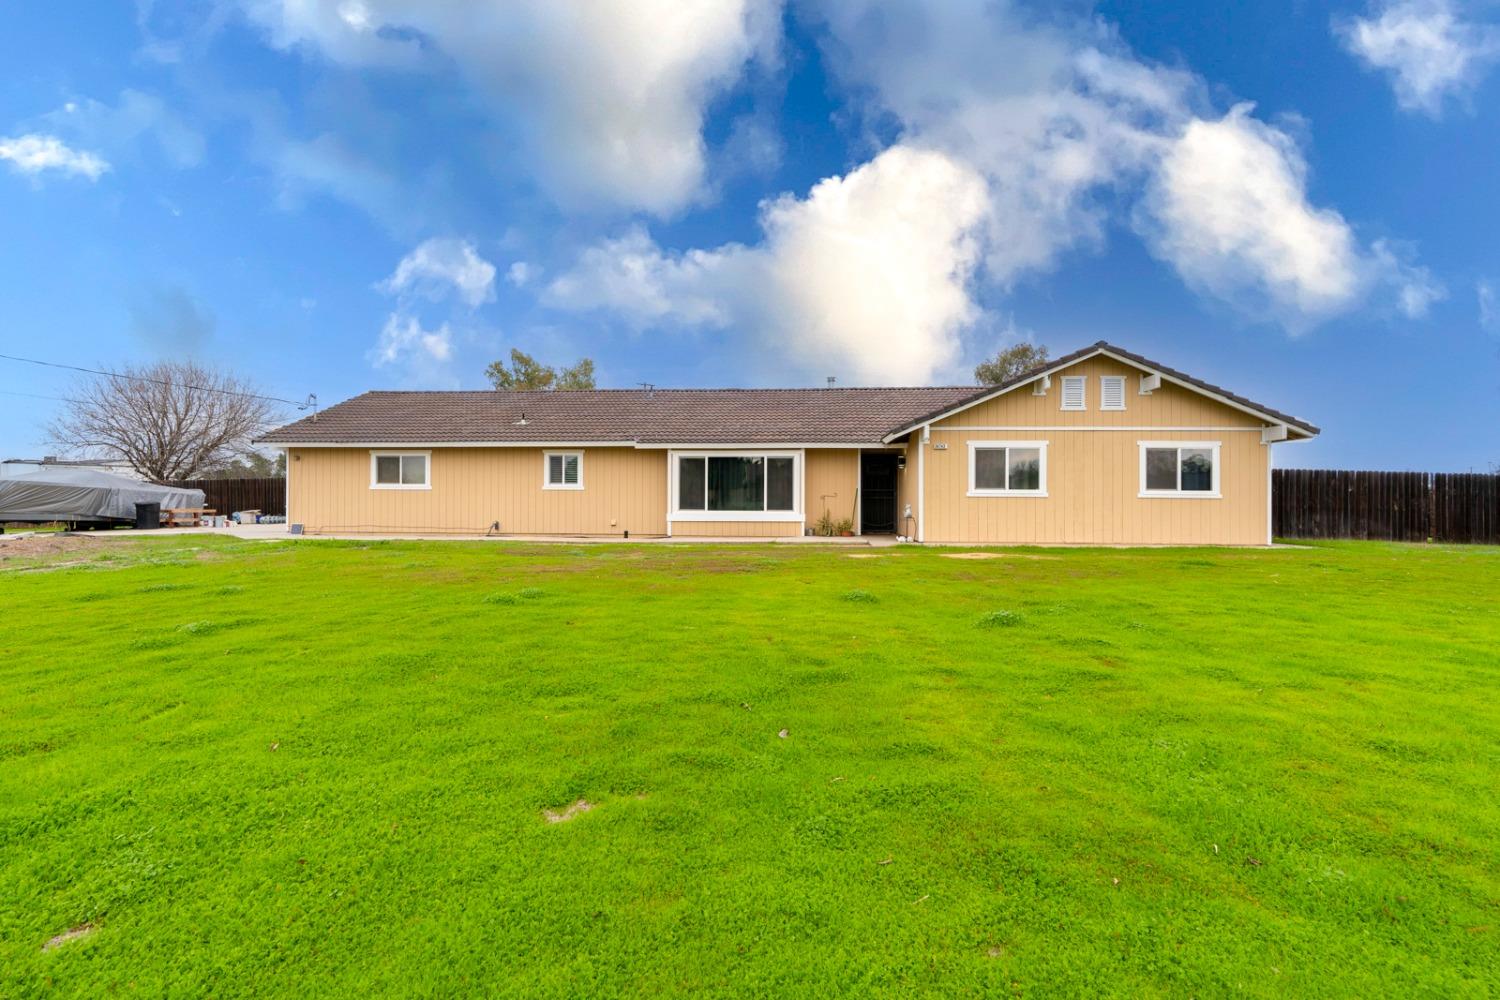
664,416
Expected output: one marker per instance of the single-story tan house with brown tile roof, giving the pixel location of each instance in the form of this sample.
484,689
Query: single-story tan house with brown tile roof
1097,448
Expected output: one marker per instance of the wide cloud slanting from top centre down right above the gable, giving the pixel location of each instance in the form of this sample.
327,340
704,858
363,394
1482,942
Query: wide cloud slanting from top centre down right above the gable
1064,125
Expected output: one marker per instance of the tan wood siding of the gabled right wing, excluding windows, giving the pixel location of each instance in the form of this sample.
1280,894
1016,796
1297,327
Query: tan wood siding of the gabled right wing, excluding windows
1094,470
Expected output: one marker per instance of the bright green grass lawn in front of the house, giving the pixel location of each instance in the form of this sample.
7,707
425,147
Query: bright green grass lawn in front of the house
322,770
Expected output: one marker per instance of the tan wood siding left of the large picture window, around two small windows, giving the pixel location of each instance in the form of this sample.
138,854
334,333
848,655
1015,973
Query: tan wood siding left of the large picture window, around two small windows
623,491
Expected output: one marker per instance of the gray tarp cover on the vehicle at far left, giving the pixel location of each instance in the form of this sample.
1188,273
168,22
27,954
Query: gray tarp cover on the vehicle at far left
85,496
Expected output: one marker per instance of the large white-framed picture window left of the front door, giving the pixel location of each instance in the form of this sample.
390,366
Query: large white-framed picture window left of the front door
737,487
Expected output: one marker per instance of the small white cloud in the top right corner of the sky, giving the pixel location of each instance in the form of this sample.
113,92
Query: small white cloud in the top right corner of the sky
1426,47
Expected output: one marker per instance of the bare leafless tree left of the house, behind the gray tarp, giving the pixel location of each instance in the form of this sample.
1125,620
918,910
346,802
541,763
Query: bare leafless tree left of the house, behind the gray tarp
172,421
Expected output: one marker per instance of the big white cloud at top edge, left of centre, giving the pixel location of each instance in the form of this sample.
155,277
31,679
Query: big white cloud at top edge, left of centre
607,100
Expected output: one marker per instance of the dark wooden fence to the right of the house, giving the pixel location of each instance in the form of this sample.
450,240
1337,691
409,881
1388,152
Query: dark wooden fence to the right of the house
1387,506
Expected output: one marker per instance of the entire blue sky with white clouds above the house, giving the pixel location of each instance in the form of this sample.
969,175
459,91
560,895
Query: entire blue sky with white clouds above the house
1286,199
